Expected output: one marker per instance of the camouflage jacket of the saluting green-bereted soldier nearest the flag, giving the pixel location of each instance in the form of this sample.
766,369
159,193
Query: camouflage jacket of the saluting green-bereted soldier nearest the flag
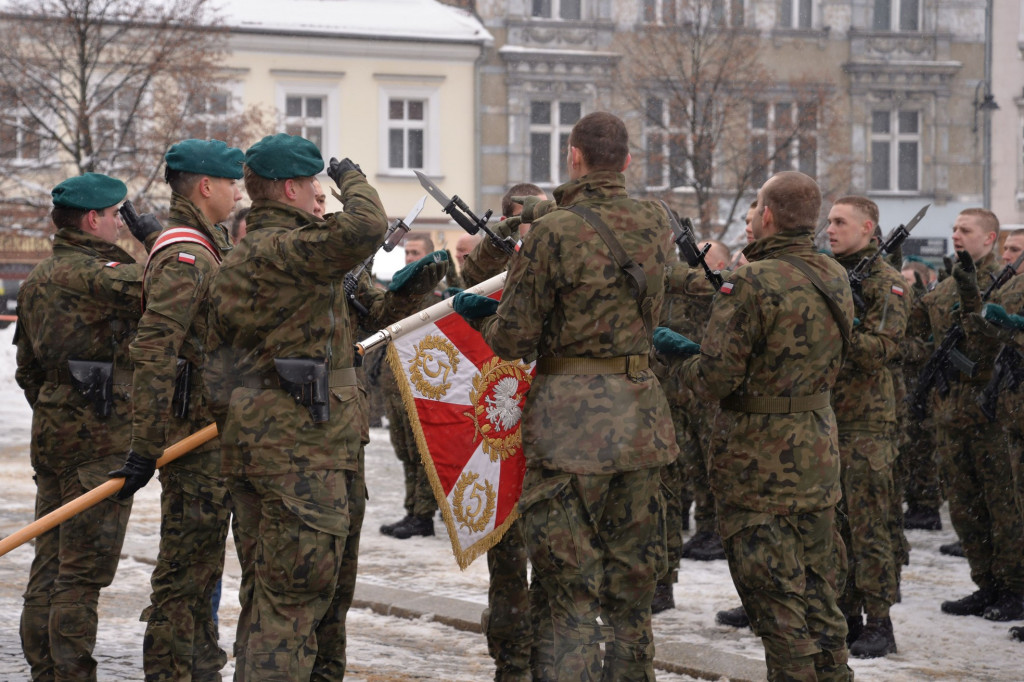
280,294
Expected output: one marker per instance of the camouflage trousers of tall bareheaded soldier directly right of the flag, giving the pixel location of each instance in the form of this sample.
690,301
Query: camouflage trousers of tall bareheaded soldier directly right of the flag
598,546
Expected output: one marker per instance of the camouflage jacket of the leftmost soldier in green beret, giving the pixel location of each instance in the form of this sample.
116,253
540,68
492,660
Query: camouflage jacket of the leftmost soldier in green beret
80,304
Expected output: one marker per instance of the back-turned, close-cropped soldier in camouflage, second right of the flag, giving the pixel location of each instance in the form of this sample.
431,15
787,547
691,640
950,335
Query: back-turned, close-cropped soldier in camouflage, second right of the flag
772,354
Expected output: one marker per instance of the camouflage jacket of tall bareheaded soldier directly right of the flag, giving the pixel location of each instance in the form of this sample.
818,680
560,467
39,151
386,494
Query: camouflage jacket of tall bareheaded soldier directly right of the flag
566,297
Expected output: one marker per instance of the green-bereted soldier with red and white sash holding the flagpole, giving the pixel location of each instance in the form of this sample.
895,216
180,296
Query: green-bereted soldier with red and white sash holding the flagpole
181,638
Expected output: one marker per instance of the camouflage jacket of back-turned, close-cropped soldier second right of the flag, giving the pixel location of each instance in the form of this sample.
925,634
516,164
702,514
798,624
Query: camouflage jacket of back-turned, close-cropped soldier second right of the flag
773,334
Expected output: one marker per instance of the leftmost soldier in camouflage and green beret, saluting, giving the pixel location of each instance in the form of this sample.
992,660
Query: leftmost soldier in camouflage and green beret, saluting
82,304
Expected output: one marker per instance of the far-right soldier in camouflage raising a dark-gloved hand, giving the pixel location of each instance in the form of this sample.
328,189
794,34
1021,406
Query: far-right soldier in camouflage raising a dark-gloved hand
973,454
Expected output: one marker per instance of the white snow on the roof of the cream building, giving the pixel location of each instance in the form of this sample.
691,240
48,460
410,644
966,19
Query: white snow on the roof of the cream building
425,20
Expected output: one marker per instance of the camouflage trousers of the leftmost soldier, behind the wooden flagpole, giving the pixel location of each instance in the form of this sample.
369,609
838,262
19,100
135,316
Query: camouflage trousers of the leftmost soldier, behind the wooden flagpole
72,564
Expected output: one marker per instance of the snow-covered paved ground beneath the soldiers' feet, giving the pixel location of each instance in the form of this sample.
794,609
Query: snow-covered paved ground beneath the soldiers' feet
932,646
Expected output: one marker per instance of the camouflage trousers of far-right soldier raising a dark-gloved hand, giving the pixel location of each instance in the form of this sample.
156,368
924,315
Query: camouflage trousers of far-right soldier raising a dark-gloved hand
983,507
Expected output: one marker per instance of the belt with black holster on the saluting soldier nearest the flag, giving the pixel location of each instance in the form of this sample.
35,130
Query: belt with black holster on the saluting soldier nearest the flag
307,380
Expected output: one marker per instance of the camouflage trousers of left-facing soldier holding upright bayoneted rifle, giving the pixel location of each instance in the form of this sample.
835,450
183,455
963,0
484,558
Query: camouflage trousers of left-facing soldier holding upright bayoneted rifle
864,521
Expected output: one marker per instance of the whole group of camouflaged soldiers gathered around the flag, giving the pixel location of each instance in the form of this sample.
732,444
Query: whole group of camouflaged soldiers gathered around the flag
796,403
